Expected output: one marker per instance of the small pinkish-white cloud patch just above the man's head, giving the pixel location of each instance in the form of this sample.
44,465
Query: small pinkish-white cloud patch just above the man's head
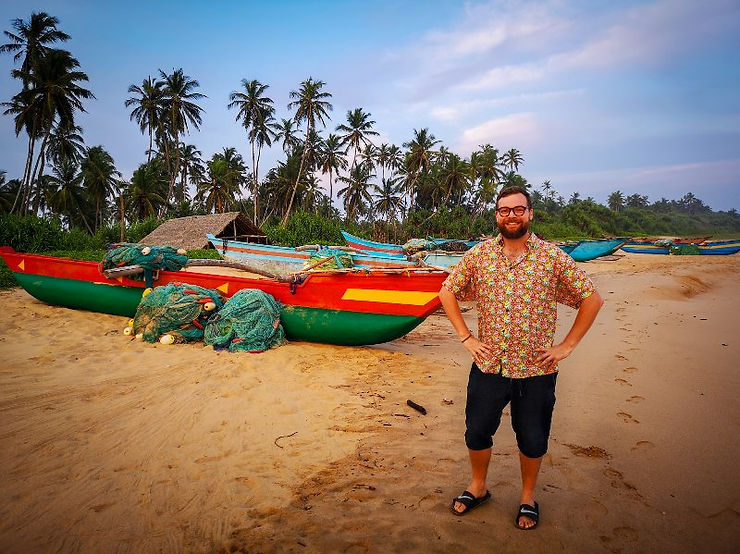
520,129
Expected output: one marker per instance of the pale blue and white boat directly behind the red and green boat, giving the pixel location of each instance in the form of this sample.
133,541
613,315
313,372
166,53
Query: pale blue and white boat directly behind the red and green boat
285,259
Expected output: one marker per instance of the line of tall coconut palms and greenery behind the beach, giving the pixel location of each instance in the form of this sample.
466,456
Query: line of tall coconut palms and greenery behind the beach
382,186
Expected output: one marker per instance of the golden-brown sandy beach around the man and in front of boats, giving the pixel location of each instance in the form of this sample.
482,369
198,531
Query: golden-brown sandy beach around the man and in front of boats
113,445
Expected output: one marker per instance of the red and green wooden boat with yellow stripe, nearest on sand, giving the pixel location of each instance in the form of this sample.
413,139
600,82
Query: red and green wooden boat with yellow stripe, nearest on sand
346,307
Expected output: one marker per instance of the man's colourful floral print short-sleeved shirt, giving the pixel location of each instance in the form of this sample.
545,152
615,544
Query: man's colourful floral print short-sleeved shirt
517,301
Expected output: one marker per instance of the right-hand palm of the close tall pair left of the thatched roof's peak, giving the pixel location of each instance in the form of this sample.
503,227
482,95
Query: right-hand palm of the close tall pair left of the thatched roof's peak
181,111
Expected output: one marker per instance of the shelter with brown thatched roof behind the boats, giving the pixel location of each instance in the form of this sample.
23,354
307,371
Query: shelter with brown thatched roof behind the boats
190,232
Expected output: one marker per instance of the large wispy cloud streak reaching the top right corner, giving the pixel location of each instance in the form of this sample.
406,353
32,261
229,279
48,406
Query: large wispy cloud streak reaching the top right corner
520,44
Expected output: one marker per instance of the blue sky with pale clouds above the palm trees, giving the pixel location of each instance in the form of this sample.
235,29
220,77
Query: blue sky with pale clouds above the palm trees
598,96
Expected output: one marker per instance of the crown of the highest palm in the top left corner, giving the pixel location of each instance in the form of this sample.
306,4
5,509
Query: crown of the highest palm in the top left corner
31,39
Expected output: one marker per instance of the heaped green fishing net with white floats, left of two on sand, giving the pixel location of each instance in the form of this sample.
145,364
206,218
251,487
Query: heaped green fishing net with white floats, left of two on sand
180,310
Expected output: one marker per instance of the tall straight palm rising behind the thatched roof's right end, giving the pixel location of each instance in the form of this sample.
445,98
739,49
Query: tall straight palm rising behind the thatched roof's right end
255,112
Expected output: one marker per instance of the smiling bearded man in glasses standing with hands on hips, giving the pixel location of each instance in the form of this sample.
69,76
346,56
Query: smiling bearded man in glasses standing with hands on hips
517,280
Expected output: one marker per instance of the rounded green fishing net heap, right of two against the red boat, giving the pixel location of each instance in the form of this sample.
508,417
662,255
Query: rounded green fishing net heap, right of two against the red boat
248,322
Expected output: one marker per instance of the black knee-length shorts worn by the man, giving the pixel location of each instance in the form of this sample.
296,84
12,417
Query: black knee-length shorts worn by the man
532,401
